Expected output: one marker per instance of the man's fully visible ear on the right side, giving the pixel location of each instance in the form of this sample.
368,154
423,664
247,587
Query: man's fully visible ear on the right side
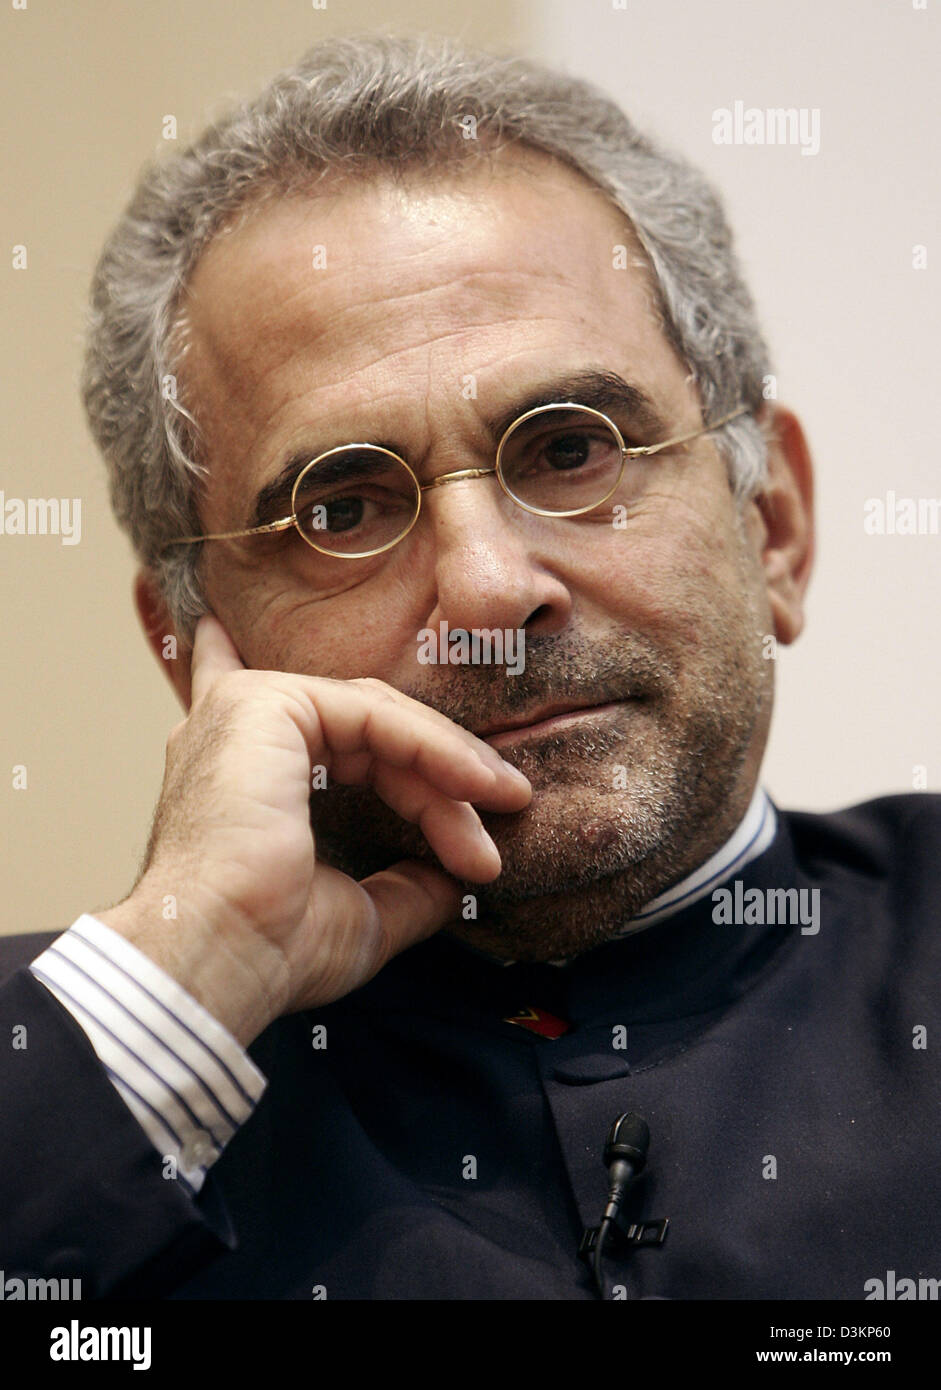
785,509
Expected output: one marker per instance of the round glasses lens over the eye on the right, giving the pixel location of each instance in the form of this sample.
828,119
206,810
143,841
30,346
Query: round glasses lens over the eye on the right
561,461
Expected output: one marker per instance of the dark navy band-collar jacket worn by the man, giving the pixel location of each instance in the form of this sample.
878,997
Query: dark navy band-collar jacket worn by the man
433,1150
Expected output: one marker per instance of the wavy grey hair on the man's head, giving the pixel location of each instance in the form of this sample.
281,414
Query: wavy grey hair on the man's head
350,108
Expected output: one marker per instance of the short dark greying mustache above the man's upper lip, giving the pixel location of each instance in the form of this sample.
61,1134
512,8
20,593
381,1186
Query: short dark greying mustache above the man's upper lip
597,671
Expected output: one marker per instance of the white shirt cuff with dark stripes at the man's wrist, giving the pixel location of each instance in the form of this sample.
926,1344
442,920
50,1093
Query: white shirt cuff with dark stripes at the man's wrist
186,1079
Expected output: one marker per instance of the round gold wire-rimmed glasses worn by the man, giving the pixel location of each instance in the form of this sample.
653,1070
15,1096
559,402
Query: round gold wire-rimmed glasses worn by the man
361,500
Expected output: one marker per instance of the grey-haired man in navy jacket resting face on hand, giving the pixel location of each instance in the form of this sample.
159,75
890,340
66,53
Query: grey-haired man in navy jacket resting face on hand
420,362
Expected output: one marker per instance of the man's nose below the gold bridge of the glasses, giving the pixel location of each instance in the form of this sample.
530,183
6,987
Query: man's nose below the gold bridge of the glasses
494,564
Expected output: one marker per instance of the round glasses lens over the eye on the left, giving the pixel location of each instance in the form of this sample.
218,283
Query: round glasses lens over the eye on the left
355,501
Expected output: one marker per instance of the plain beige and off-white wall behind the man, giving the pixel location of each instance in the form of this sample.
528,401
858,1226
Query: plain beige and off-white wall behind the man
826,240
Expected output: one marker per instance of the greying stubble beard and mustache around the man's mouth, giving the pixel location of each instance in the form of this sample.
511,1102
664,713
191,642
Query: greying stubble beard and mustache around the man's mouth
625,804
